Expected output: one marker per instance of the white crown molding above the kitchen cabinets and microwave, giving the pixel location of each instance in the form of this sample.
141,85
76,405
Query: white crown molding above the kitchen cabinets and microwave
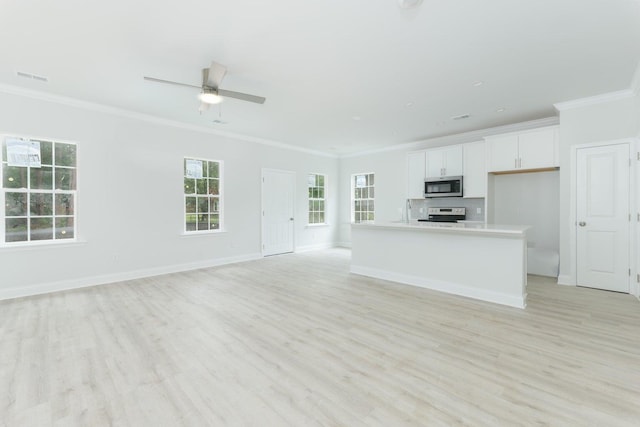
460,138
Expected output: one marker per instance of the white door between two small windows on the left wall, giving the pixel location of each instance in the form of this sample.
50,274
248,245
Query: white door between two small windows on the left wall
278,191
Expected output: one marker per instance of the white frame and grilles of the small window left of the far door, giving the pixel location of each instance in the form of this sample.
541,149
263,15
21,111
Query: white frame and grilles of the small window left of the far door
210,197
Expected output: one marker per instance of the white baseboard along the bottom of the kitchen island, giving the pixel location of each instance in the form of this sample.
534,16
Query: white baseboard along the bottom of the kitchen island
442,286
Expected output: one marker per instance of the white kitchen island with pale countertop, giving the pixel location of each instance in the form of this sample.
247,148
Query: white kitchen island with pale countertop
483,261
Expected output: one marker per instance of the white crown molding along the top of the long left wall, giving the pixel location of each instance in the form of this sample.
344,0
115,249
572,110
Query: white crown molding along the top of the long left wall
120,112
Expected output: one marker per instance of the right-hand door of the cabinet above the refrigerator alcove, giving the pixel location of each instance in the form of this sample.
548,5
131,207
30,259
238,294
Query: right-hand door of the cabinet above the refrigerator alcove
538,149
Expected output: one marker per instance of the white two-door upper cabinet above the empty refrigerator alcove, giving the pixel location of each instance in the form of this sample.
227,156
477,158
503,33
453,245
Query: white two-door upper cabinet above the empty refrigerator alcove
523,151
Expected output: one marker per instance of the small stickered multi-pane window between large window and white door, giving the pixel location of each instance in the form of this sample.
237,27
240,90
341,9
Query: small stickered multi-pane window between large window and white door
202,195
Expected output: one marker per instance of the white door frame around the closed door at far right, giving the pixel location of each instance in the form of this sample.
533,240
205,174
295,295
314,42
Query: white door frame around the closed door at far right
634,229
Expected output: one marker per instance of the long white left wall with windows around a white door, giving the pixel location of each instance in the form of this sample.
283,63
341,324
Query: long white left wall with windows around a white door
130,198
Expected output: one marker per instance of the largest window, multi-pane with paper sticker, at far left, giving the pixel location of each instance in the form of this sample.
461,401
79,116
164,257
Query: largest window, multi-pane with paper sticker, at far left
39,190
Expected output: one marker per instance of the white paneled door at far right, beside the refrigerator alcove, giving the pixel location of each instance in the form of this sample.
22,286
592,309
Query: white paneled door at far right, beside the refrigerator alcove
603,223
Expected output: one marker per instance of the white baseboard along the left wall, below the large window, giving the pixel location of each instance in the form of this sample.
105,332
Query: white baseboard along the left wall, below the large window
65,285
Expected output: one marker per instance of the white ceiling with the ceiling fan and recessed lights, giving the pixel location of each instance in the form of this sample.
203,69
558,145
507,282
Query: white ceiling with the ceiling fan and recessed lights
402,74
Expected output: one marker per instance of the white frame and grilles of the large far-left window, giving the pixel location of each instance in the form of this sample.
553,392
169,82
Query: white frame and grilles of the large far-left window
74,193
